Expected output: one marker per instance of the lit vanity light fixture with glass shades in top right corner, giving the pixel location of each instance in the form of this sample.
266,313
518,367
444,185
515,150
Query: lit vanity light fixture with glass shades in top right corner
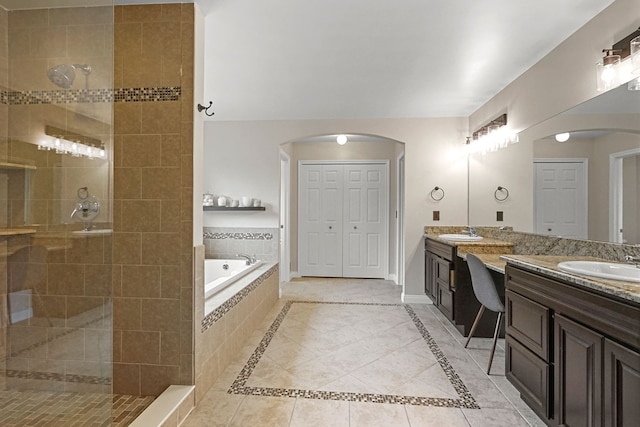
618,63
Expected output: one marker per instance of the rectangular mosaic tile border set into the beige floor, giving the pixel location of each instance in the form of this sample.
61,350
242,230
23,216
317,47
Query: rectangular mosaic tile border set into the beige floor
465,400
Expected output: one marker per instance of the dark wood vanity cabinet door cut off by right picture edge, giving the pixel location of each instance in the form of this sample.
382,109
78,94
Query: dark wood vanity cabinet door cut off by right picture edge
622,386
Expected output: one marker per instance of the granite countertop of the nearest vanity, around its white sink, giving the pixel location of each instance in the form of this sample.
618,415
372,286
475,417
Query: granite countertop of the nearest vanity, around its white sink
548,265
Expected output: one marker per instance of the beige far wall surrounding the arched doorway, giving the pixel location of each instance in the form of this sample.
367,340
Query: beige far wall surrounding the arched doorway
434,153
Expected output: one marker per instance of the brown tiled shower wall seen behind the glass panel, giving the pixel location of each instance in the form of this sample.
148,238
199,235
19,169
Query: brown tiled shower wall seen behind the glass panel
64,344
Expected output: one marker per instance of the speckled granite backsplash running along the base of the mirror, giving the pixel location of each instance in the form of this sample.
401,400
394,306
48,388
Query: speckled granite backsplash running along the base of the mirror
536,244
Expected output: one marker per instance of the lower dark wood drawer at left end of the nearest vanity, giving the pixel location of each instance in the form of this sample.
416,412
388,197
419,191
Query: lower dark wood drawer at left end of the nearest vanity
530,375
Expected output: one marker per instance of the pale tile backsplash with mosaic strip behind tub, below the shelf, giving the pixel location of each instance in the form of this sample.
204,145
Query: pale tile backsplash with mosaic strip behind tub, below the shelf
225,242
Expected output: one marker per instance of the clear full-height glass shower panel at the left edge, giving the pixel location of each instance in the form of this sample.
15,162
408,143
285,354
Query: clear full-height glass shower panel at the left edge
56,172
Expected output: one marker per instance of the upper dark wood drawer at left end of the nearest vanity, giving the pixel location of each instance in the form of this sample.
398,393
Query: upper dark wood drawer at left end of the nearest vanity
528,322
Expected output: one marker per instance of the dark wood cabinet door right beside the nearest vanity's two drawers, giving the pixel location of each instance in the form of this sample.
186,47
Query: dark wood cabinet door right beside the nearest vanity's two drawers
578,376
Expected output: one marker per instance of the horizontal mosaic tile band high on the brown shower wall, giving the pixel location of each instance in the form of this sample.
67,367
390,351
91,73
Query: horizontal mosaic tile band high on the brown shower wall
72,96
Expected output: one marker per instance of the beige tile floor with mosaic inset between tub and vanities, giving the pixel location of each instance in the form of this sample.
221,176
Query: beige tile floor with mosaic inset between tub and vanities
347,352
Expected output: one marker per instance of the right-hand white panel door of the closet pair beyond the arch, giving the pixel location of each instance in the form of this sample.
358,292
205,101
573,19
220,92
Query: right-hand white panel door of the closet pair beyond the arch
364,238
